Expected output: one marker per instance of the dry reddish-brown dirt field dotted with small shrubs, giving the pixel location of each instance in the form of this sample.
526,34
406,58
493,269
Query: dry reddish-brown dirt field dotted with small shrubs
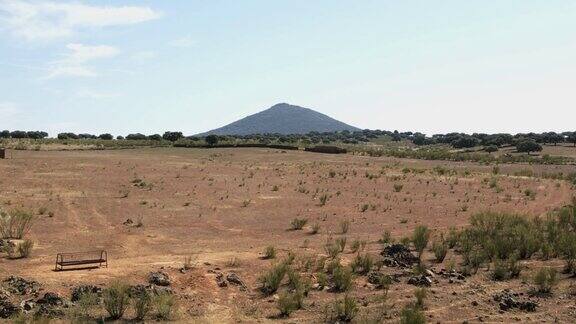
225,206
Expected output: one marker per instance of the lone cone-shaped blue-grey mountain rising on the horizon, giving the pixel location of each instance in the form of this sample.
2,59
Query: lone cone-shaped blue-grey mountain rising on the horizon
283,119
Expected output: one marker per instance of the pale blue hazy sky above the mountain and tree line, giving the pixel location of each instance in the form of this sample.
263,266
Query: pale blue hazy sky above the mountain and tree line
148,66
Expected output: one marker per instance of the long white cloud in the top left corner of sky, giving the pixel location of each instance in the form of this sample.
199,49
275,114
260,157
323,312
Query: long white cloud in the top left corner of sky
45,20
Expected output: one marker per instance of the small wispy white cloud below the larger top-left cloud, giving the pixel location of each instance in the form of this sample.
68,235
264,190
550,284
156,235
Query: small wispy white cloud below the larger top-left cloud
75,64
